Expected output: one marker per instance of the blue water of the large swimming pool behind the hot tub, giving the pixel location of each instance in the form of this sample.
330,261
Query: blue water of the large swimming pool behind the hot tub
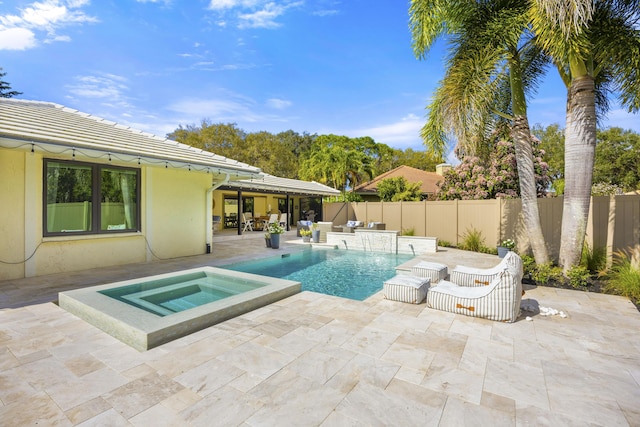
348,274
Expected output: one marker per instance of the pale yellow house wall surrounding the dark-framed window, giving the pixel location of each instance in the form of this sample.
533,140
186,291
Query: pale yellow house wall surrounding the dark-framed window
173,207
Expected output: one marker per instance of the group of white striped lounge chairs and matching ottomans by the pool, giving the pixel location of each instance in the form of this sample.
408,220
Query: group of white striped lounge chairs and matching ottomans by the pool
493,293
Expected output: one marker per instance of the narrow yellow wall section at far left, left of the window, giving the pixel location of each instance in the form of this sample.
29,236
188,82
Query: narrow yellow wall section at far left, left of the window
12,165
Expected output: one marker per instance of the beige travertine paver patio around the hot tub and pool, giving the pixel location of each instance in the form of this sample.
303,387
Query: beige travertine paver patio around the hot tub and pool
319,360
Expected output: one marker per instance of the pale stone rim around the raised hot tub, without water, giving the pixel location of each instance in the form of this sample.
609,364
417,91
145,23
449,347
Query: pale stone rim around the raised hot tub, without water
143,330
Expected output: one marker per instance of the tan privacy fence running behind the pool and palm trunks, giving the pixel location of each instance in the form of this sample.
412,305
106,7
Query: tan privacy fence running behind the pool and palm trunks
614,222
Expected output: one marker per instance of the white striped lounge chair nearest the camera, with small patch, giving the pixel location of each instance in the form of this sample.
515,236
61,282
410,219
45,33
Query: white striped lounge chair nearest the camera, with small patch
500,300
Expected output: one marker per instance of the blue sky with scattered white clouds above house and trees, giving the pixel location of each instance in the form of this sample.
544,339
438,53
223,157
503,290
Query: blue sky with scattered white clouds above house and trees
316,66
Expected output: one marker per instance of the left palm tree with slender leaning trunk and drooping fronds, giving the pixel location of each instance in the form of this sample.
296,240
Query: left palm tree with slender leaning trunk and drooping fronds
493,63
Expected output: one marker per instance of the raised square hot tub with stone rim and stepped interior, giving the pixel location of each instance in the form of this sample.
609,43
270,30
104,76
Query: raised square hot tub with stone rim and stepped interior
150,311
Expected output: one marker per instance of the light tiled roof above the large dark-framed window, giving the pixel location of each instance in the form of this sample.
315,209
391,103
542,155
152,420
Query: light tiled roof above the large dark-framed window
35,125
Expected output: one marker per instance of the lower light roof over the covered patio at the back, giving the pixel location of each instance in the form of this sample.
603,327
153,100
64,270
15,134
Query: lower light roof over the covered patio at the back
270,183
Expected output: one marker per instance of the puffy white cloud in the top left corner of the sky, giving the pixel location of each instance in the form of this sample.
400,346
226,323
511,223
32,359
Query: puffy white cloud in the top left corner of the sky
46,17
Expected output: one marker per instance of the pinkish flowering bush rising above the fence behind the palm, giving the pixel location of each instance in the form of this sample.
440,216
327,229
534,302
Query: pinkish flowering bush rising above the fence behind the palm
497,177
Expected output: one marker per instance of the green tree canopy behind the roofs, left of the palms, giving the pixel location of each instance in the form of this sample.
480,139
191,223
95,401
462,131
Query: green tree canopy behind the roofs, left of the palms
338,161
